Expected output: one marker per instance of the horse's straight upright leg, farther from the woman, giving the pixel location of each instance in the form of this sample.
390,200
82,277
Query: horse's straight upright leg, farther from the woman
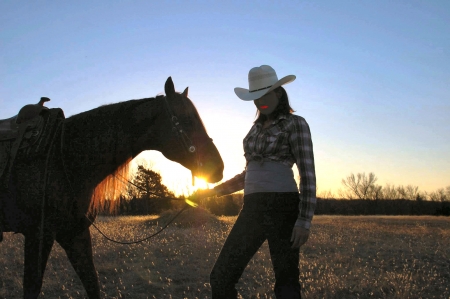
35,263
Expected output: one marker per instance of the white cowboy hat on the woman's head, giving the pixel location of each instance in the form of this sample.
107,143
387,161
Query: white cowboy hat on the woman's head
261,80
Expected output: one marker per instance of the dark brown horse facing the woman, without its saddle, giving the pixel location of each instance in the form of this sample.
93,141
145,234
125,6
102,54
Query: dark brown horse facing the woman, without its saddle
90,150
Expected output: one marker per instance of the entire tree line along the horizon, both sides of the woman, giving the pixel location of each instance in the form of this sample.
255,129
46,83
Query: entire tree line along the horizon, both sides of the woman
361,195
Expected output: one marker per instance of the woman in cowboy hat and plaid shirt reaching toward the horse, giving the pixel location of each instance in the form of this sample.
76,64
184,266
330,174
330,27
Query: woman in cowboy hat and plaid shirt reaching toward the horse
273,209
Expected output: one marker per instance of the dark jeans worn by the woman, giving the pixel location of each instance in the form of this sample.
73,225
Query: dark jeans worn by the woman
264,216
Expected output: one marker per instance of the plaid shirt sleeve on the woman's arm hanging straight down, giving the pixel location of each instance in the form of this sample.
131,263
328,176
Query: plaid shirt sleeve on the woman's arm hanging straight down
302,149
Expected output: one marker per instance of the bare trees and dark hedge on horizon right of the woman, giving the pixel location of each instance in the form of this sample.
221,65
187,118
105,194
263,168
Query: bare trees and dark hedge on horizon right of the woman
361,195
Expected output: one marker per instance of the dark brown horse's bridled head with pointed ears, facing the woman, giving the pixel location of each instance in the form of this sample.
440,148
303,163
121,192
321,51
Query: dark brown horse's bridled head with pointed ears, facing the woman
181,136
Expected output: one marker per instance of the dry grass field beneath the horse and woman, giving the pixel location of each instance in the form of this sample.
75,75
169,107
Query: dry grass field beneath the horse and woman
345,257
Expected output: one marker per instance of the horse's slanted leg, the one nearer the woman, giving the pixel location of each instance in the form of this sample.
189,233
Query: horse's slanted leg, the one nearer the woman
79,252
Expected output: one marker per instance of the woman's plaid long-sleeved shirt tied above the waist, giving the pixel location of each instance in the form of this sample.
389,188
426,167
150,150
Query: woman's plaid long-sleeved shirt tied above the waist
287,140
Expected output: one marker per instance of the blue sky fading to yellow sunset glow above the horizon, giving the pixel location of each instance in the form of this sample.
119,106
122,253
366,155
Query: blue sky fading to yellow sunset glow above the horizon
373,77
